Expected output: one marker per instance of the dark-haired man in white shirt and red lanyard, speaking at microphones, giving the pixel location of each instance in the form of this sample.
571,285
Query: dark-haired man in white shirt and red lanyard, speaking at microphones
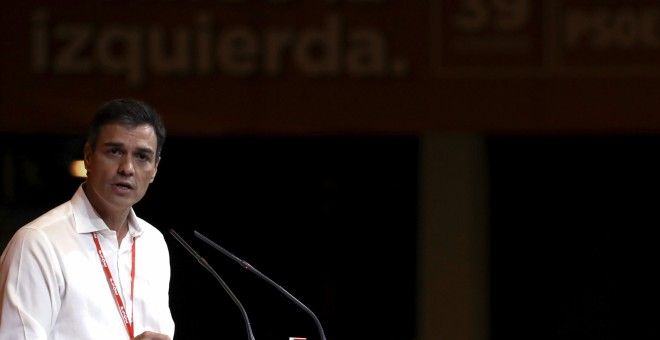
90,268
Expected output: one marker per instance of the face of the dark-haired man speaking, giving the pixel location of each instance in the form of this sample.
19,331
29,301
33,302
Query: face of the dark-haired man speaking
121,168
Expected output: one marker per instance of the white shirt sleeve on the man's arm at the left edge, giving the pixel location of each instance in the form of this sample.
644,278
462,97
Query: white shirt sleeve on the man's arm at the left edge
30,292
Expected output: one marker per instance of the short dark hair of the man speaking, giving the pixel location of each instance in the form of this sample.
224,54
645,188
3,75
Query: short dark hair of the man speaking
130,112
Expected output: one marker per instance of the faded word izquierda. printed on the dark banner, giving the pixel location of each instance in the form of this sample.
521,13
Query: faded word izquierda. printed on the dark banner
138,51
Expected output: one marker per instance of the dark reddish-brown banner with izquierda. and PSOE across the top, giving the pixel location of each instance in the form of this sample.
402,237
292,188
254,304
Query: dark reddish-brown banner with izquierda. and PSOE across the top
334,66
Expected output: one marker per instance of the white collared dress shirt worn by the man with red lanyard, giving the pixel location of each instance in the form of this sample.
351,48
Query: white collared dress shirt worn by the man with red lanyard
53,285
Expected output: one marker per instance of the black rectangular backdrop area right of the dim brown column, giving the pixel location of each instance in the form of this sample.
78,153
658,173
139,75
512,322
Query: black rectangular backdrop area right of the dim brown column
574,228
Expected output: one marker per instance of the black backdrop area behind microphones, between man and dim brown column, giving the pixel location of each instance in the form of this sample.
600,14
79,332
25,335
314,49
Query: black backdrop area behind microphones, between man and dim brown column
331,220
